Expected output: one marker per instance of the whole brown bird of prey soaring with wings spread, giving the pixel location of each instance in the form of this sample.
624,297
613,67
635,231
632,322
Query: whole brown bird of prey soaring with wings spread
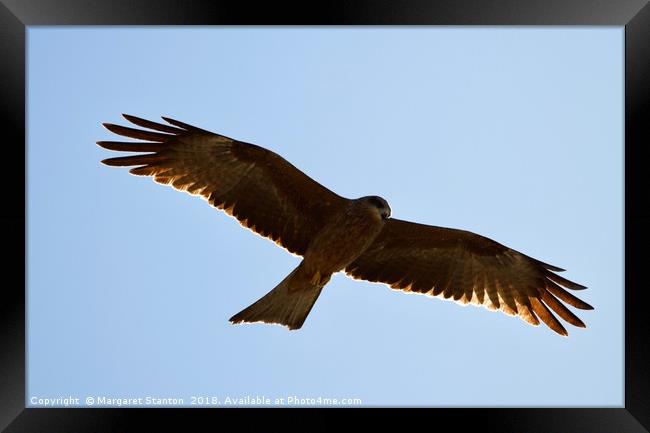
271,197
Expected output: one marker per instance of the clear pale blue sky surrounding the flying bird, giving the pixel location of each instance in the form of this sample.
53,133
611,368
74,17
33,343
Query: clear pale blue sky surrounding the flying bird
513,133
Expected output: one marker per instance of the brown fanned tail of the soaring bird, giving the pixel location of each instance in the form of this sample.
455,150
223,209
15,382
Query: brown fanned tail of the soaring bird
287,304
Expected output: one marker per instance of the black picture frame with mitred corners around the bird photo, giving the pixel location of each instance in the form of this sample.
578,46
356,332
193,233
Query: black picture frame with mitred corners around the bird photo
16,15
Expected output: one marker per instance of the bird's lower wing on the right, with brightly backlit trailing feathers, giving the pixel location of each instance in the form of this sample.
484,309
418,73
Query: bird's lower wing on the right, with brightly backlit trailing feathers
470,269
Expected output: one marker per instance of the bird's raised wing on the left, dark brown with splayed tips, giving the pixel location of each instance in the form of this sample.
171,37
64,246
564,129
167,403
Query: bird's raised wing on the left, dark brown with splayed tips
258,187
